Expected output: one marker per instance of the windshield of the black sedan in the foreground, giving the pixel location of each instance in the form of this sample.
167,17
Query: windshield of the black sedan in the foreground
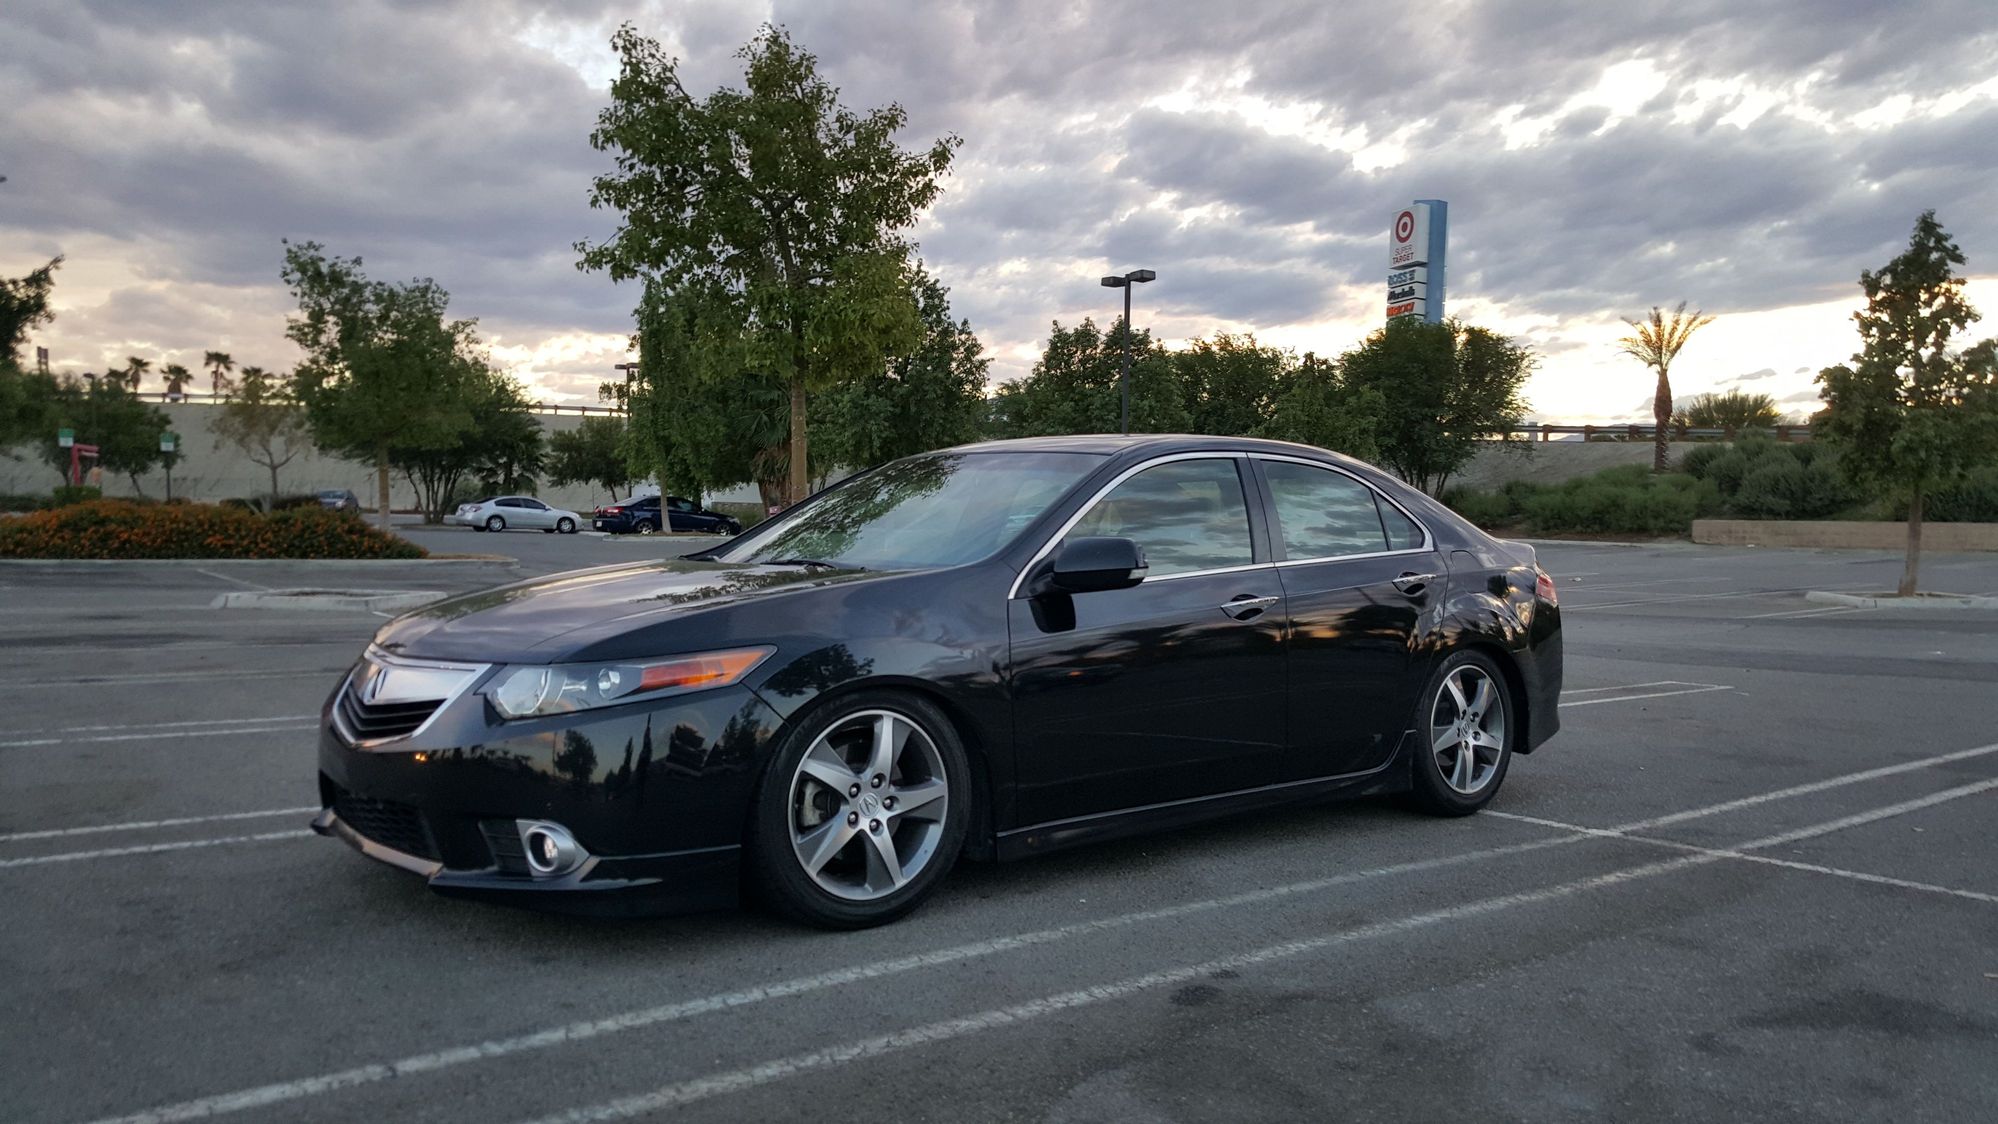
920,514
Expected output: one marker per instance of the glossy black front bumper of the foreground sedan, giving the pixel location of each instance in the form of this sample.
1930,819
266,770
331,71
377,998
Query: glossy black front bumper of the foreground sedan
656,796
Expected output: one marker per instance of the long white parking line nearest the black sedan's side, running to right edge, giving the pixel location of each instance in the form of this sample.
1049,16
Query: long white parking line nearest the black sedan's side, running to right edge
281,1093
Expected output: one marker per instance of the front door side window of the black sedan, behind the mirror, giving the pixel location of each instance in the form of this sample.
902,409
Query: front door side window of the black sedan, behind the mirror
1186,514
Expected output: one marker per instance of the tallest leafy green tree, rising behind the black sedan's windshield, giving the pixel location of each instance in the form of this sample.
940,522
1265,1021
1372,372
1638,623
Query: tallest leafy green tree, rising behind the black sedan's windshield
772,213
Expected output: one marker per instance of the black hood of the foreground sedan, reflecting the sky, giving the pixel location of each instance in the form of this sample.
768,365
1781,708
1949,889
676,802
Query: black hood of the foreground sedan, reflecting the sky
554,618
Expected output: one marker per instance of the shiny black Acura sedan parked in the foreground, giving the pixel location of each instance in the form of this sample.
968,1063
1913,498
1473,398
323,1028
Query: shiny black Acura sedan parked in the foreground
986,652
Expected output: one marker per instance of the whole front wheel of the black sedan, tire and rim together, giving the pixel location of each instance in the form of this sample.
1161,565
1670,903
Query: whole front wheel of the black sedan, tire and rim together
862,812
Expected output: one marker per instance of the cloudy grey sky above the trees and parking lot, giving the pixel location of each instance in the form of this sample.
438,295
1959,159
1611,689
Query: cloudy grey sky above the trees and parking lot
1599,159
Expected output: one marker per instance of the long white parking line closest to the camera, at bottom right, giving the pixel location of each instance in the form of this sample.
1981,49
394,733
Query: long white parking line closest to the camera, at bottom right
736,1081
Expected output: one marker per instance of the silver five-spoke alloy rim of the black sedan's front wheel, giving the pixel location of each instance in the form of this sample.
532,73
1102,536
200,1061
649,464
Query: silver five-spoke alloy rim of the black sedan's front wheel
868,806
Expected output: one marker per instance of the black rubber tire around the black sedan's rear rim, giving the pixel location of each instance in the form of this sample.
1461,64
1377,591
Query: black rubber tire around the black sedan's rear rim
1438,788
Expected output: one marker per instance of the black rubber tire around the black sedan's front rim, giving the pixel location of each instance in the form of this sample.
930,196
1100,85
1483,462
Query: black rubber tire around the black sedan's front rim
774,871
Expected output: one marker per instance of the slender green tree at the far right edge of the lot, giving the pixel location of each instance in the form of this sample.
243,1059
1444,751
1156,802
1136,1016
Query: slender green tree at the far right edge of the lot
1911,414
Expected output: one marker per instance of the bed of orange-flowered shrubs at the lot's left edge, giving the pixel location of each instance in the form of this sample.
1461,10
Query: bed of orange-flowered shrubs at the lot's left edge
115,530
